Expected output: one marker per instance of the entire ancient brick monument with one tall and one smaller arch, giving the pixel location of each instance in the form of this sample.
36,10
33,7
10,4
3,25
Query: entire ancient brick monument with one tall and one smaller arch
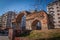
31,19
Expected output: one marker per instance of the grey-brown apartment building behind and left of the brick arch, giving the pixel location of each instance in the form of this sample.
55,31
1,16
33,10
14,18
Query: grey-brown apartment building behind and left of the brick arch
7,19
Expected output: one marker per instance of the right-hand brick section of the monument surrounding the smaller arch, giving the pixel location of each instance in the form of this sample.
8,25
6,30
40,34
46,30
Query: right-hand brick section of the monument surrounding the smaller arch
41,16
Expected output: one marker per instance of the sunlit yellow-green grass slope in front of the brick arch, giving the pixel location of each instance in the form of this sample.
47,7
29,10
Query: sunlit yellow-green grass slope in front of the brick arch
48,34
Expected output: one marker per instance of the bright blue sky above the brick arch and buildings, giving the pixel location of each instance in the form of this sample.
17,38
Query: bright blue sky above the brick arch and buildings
21,5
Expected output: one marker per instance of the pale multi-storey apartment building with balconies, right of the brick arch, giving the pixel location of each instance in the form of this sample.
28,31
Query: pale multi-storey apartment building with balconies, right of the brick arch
54,10
